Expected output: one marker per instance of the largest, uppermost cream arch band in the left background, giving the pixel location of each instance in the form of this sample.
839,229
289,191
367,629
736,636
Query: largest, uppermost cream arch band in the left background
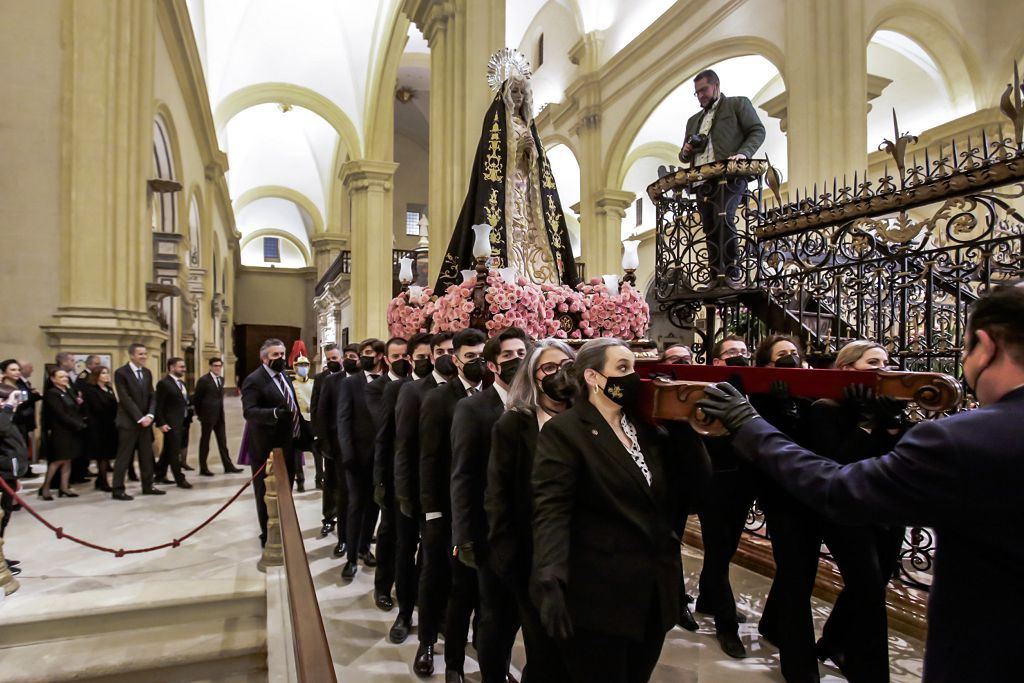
264,94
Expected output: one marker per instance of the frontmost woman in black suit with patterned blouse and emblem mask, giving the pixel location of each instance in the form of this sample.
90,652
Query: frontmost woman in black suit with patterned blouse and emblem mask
608,523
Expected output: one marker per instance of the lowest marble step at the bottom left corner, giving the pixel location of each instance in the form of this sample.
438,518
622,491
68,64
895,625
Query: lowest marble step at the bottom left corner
232,649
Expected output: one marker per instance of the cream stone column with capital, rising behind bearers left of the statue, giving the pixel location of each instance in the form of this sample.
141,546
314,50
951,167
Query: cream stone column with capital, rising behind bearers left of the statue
370,186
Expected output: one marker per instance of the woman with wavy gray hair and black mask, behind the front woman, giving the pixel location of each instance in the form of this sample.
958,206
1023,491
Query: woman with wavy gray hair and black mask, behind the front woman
543,388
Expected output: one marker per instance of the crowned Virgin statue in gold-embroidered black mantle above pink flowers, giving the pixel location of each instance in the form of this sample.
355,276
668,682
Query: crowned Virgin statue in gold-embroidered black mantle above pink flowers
513,190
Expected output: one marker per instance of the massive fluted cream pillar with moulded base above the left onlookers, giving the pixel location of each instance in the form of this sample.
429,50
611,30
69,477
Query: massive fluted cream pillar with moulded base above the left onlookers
107,132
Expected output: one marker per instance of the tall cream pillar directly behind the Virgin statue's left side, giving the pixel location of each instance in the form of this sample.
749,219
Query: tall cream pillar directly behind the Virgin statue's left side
462,35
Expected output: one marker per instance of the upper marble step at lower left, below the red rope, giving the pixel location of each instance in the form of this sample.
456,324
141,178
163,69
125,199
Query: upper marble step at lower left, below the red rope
46,618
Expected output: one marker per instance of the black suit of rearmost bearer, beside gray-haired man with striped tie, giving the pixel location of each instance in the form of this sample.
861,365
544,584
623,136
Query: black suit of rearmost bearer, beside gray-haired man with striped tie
335,505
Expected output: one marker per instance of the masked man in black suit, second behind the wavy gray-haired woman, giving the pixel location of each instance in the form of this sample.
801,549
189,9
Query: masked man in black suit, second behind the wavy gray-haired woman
443,575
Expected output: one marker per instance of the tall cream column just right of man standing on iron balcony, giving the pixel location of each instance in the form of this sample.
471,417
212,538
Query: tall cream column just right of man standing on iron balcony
827,83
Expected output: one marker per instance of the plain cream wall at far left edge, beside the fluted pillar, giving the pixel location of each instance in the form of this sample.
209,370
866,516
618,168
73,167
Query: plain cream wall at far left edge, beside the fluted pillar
30,178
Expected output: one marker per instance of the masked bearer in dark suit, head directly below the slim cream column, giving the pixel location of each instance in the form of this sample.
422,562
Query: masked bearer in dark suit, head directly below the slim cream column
356,438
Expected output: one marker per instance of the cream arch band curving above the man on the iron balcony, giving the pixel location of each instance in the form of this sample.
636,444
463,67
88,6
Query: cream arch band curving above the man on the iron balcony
675,71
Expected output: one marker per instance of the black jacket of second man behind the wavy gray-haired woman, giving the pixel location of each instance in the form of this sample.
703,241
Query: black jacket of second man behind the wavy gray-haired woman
437,414
